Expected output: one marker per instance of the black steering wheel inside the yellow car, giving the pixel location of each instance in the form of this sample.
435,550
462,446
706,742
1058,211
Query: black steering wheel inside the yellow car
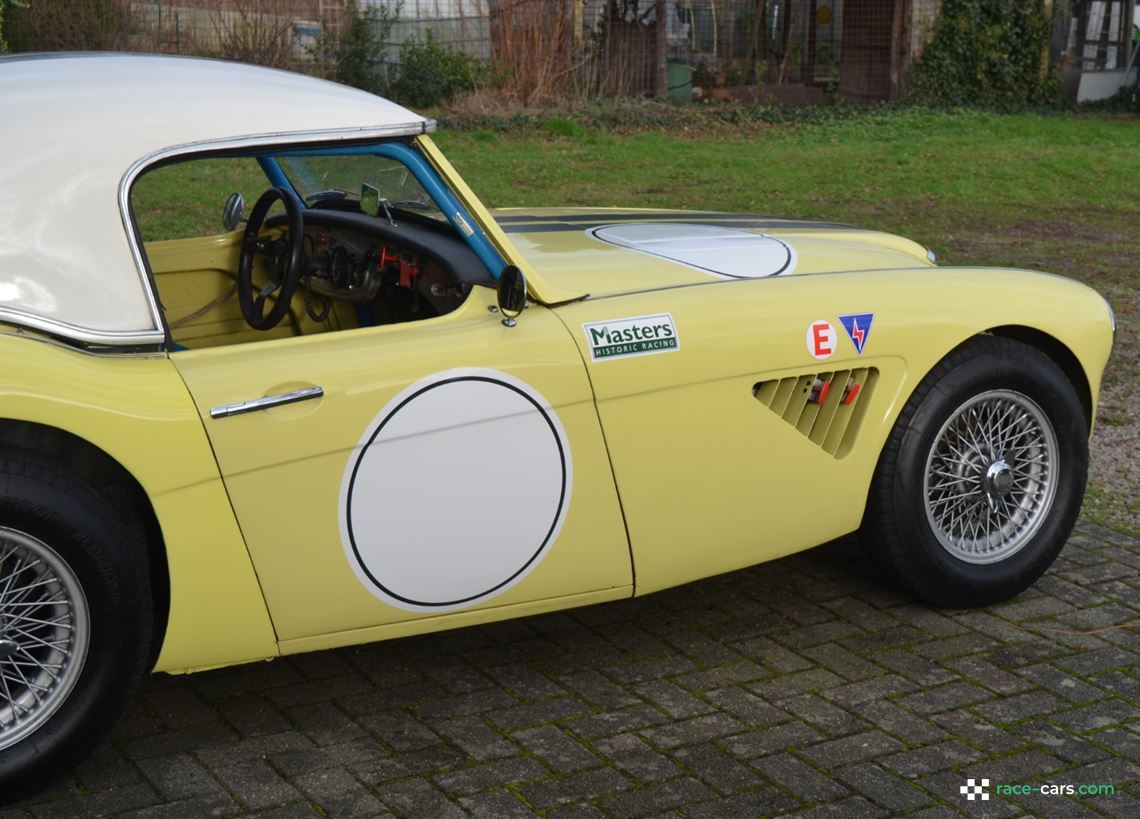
286,257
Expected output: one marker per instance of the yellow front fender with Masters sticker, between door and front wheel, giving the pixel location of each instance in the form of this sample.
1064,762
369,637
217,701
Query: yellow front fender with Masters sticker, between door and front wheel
712,480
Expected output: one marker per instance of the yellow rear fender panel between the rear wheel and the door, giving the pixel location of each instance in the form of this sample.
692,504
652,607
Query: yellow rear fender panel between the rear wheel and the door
139,411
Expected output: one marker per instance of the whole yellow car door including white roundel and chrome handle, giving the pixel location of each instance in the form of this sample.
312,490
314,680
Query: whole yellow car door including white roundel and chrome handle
417,475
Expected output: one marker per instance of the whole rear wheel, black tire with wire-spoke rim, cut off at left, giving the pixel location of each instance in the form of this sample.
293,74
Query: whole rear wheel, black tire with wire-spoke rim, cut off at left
86,572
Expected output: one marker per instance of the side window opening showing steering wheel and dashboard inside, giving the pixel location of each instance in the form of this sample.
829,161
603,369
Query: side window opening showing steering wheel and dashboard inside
361,244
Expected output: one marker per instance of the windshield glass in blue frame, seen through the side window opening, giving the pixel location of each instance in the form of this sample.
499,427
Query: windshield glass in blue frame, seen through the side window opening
339,181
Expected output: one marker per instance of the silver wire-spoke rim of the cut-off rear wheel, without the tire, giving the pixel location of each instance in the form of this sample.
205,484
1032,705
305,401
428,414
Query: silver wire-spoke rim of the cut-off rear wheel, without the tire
45,631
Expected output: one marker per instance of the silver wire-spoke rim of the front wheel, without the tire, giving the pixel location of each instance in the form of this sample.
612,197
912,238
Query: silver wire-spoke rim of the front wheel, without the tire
991,476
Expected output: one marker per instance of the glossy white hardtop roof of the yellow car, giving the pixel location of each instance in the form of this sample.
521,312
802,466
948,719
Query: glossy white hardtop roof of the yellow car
77,129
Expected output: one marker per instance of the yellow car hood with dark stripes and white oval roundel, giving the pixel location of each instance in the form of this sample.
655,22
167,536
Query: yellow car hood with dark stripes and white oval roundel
606,252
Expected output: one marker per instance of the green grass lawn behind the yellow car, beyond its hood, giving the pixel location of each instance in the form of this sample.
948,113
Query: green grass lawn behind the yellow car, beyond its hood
1058,193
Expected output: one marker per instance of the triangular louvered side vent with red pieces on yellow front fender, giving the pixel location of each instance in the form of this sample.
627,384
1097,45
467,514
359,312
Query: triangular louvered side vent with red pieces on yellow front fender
827,408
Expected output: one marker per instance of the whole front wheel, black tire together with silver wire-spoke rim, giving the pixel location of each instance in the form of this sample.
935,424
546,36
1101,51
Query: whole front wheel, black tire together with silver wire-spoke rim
982,479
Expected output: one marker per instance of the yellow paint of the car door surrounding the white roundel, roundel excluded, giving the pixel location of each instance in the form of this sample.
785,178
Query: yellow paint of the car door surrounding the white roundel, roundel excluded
284,467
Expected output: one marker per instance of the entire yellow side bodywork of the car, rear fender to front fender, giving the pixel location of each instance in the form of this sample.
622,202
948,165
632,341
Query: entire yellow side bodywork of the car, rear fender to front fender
680,469
